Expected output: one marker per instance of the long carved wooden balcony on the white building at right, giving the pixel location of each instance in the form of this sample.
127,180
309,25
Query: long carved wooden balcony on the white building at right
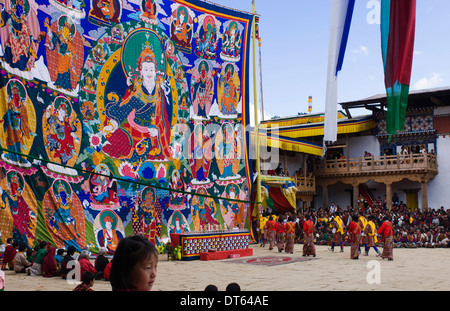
382,165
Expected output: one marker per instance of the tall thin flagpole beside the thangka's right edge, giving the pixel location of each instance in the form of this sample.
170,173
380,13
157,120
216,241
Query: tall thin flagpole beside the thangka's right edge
255,102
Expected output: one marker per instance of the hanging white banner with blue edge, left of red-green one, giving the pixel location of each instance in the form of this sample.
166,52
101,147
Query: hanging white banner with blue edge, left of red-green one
340,22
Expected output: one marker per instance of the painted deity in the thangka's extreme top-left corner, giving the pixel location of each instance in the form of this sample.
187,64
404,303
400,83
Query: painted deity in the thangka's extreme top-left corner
21,44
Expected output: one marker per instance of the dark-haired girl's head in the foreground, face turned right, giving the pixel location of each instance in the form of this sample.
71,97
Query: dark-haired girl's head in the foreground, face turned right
134,266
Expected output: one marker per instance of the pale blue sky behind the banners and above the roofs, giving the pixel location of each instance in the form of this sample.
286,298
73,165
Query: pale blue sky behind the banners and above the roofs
295,36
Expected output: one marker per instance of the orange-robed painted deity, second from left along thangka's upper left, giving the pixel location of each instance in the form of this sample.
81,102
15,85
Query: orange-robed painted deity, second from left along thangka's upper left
62,41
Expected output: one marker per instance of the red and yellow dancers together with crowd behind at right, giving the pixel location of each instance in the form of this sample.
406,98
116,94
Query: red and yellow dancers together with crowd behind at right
361,229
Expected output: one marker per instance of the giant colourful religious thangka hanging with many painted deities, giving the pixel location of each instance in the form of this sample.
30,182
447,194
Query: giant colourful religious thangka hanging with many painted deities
115,114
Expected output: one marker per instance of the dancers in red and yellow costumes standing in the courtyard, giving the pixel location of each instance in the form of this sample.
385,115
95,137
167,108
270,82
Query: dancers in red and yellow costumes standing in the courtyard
283,231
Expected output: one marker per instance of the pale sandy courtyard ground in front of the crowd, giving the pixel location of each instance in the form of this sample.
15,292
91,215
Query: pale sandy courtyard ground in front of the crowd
419,269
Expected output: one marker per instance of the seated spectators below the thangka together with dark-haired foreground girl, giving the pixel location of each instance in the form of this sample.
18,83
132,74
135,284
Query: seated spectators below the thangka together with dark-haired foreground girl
133,266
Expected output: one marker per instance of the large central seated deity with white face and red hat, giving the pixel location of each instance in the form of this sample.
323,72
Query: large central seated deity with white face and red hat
135,127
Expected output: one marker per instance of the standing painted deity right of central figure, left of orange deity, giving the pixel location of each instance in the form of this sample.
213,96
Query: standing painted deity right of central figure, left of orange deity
202,90
